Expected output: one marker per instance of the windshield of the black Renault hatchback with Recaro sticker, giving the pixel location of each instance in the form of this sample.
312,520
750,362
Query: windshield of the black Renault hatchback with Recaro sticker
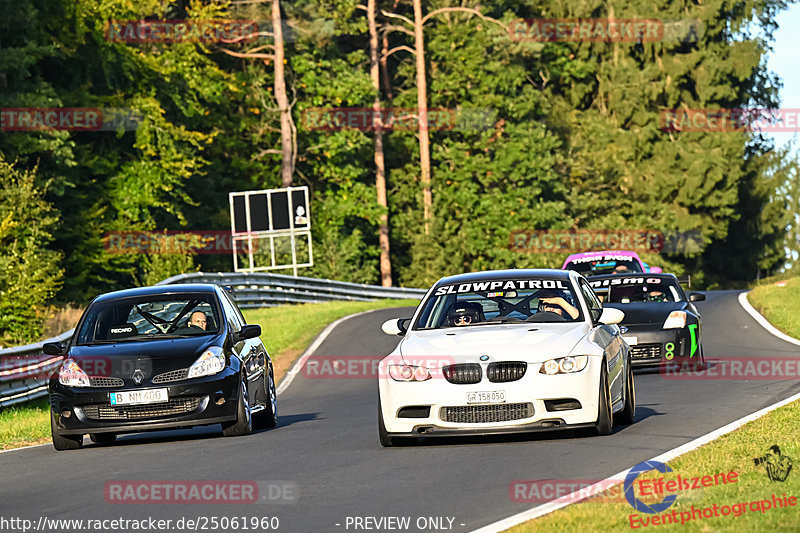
149,318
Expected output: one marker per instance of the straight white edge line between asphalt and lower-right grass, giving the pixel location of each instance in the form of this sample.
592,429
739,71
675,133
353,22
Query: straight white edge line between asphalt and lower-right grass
549,507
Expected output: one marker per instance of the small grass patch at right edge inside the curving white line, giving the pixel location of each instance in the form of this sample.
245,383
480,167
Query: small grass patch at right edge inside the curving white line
778,302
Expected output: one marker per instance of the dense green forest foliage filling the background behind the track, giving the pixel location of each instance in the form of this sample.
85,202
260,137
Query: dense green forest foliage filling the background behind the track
549,135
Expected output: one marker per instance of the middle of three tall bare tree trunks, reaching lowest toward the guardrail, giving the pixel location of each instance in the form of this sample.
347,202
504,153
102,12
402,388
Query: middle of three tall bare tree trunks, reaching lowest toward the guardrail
380,169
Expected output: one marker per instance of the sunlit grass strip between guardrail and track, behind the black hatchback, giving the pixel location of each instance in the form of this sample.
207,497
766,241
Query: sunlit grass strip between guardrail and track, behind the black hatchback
286,331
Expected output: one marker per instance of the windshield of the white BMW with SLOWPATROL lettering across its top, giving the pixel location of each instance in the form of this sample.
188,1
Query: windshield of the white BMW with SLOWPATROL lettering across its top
499,301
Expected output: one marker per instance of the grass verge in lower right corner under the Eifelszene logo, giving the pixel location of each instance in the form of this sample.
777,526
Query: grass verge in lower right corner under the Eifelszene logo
733,452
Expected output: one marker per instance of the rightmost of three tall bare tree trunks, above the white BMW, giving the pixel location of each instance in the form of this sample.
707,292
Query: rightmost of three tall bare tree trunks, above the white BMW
422,105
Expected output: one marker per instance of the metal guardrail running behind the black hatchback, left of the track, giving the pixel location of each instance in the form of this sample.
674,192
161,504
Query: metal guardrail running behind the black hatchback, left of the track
24,370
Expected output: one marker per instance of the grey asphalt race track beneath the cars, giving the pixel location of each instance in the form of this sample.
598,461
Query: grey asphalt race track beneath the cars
326,447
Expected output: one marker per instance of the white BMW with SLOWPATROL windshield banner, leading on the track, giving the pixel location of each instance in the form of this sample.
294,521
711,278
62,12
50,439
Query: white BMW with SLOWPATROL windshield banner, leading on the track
505,351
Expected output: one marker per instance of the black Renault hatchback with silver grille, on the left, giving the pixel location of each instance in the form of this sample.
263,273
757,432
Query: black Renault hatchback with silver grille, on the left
162,357
